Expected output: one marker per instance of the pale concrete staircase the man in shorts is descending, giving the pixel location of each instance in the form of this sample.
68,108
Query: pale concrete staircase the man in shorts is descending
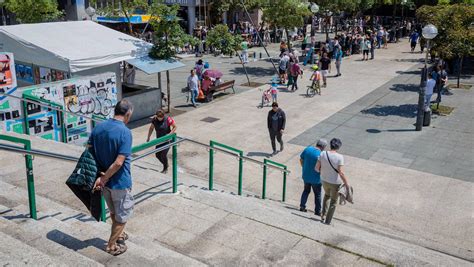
195,227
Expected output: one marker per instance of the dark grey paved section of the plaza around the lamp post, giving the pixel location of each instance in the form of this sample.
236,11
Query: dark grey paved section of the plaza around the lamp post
380,127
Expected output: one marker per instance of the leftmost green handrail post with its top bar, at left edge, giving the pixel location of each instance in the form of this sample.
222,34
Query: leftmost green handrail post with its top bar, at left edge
29,171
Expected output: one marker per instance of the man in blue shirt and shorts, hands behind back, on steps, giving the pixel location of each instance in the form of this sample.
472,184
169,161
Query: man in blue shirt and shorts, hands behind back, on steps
111,143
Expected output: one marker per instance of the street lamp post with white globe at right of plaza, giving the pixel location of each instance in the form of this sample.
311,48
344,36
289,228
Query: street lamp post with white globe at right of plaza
429,32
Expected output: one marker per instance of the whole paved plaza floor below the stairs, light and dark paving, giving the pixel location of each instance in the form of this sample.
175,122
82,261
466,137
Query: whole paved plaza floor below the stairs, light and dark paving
401,176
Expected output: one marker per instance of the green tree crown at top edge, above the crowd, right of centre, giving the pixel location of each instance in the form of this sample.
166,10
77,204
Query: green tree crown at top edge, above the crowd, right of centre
286,13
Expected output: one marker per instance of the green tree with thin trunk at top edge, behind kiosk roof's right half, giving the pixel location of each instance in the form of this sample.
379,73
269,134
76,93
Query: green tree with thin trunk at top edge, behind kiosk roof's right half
126,8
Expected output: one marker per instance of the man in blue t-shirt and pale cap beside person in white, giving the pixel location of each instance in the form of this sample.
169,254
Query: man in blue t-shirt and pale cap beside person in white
311,177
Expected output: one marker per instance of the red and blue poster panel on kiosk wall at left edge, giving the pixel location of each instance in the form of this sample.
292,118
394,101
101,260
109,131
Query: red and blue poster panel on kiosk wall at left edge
10,109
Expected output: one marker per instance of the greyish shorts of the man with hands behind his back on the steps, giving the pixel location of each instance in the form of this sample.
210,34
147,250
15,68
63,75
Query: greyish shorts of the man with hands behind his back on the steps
120,203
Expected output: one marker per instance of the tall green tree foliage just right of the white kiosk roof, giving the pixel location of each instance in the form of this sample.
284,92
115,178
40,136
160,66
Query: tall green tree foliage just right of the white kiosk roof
168,33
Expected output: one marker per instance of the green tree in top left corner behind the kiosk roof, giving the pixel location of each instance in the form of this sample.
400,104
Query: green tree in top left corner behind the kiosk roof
34,11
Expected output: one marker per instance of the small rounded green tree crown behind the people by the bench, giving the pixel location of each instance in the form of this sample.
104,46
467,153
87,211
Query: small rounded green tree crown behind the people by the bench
221,39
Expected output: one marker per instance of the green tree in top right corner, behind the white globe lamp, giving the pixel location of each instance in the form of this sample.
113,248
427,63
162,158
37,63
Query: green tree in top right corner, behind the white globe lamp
455,38
